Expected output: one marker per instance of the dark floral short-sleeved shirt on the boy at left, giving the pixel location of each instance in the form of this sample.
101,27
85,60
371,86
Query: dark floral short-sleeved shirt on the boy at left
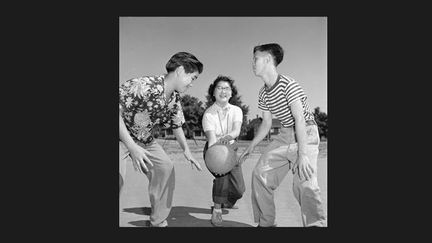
143,105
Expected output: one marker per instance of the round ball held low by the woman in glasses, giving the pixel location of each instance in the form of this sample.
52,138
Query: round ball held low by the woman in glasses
220,158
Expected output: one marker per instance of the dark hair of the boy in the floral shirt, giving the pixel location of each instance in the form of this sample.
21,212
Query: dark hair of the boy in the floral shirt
189,62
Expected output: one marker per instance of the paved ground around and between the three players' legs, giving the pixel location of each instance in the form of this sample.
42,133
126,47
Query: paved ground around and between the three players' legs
192,195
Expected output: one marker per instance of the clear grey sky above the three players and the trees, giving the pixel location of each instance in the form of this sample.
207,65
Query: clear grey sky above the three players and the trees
225,47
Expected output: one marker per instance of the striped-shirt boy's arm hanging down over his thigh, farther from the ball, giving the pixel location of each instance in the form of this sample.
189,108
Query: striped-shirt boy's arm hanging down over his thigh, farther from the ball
303,166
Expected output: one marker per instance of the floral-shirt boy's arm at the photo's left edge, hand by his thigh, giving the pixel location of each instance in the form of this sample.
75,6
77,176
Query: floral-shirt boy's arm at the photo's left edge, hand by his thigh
138,154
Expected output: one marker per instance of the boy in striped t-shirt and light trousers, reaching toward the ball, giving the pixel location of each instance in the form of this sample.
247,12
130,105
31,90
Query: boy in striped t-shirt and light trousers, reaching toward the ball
295,148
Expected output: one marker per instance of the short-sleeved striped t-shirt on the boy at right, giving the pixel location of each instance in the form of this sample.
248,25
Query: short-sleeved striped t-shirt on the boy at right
280,96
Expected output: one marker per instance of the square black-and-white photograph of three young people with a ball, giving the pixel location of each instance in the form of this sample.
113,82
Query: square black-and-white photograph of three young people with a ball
223,121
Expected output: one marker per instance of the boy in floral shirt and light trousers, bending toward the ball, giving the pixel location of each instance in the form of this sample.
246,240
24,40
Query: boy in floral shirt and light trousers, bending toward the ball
148,101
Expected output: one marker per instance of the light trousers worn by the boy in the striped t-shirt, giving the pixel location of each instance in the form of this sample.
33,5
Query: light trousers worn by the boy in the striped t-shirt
277,160
